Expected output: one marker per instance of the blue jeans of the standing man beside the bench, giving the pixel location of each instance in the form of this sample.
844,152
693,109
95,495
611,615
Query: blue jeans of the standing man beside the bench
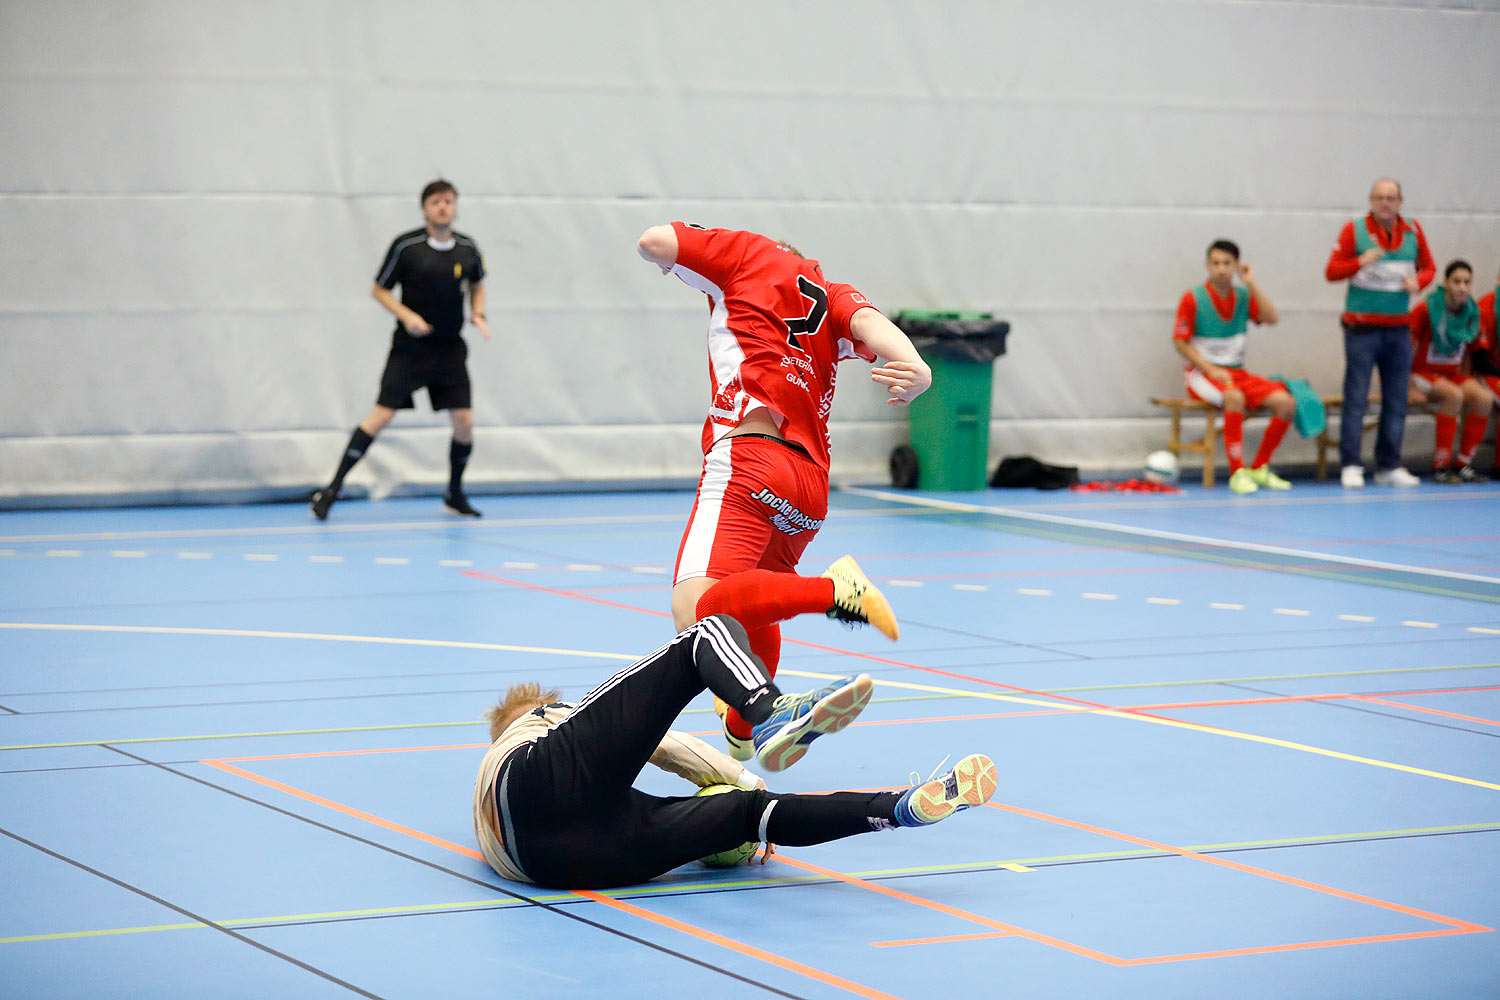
1364,350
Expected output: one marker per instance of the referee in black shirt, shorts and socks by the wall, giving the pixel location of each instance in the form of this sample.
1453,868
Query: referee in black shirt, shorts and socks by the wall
433,266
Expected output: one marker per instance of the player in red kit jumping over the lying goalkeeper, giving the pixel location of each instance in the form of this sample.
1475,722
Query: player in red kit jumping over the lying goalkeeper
778,329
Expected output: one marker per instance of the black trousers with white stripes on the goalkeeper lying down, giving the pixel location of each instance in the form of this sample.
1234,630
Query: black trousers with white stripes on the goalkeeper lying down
572,819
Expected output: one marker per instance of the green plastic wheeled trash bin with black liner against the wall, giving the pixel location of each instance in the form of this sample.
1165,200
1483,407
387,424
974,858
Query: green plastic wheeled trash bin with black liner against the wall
950,422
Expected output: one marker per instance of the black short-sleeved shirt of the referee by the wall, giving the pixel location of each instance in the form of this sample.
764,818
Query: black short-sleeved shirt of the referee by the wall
431,281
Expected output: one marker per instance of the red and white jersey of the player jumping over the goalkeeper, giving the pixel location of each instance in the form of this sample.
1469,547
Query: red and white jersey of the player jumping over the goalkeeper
778,331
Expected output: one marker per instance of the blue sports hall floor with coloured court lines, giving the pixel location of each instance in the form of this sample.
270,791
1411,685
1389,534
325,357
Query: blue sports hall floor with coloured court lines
1249,747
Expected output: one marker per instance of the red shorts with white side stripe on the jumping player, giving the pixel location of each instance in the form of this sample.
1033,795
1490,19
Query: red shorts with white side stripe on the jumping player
760,503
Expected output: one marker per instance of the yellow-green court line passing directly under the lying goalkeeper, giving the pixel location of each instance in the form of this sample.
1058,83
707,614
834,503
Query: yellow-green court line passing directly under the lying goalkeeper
760,884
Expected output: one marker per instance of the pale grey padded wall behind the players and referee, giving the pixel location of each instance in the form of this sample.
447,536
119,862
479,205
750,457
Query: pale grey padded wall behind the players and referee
196,197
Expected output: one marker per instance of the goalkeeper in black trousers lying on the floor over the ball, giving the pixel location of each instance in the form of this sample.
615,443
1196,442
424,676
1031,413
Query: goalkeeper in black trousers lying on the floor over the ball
554,803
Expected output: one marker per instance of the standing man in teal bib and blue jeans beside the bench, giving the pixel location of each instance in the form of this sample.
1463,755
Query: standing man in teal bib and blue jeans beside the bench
1385,260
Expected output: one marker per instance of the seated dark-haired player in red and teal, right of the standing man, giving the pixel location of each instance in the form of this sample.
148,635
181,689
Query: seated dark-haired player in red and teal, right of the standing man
1445,335
